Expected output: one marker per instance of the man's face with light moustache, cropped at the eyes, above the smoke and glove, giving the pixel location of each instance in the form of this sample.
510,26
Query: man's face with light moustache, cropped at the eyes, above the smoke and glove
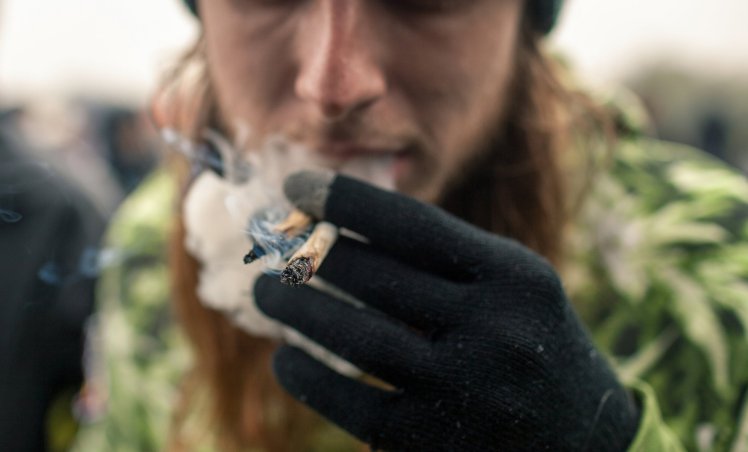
418,83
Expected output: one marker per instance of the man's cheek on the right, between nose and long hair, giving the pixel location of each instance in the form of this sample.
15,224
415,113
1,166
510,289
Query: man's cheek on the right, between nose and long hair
456,76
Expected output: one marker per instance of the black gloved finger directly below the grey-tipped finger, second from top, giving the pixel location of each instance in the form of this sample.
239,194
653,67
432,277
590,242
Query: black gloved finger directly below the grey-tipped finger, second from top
422,300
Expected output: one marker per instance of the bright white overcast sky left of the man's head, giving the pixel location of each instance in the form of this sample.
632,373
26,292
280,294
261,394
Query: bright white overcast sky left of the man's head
110,50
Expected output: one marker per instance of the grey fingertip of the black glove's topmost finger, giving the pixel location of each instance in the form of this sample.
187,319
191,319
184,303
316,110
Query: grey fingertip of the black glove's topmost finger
309,190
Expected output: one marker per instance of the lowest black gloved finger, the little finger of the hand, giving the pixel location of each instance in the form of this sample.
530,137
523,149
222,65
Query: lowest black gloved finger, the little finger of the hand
360,409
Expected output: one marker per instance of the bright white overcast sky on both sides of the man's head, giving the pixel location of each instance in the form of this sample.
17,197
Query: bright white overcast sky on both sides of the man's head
116,48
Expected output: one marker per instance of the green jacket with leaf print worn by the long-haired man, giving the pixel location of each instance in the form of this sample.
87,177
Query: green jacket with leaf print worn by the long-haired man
659,273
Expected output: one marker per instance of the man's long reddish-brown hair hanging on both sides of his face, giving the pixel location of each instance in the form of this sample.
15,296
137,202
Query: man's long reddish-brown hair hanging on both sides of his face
521,191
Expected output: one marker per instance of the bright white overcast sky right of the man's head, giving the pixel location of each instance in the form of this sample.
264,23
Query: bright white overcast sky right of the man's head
607,40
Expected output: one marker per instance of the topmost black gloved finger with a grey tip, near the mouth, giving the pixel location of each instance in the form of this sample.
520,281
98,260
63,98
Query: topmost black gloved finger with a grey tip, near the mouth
421,234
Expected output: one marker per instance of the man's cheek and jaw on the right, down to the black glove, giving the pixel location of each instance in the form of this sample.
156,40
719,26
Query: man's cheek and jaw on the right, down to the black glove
460,106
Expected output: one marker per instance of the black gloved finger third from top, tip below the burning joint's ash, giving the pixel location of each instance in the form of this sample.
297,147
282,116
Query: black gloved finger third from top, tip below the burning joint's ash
367,339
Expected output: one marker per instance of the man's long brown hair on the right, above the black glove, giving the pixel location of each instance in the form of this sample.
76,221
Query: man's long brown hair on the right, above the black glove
528,185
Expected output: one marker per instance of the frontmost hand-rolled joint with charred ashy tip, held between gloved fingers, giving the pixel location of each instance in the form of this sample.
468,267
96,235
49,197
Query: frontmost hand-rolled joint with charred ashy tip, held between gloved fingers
306,261
